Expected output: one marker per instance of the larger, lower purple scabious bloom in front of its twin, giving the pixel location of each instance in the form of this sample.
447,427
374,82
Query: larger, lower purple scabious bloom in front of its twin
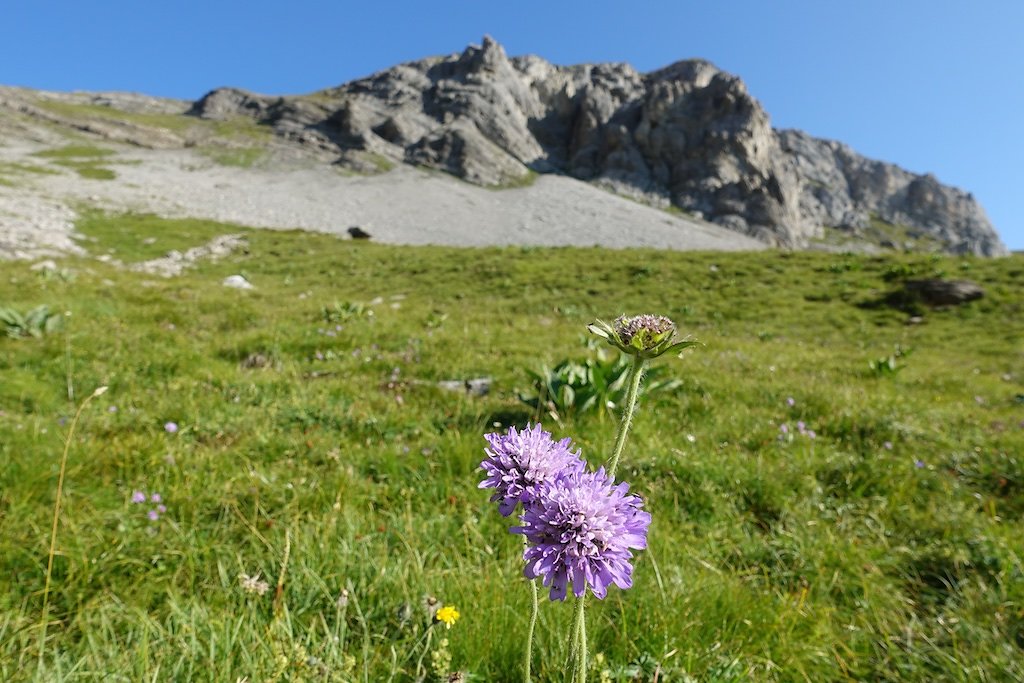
580,530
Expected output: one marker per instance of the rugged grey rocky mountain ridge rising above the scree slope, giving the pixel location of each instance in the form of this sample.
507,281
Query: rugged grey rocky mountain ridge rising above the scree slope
688,136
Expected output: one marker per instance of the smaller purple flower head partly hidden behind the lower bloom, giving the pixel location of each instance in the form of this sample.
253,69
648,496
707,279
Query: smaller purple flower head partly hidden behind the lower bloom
519,462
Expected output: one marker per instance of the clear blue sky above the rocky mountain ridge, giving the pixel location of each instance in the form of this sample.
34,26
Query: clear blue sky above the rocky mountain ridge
933,86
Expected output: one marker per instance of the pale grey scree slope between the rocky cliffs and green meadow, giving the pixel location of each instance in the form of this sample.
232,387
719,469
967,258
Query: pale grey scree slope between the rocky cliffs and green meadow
405,206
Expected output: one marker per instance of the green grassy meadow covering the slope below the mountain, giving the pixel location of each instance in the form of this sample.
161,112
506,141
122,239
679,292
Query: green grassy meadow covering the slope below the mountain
313,448
